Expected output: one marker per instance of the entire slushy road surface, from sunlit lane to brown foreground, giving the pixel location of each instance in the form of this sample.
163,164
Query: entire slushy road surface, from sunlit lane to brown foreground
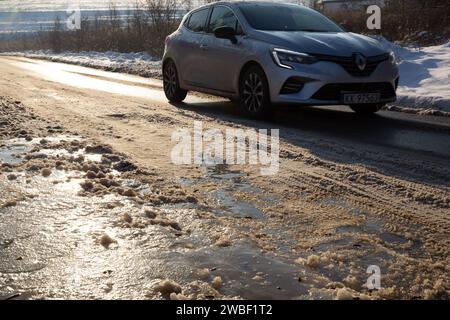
350,193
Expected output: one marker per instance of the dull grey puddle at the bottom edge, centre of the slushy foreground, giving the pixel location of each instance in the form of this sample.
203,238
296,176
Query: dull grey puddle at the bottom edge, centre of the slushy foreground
251,274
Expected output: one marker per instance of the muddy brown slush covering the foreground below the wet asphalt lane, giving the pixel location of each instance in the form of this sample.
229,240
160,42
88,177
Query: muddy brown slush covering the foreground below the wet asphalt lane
80,219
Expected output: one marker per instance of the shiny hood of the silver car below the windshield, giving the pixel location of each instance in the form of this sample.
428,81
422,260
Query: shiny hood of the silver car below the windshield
327,43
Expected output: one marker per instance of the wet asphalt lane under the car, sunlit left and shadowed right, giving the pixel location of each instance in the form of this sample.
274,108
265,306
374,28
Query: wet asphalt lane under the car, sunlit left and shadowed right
418,133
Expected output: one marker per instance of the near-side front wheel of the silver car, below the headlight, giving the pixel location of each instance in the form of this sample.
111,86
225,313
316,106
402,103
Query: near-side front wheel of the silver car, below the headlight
254,95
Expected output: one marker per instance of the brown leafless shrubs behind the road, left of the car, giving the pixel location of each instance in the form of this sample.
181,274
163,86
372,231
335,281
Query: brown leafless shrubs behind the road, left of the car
144,31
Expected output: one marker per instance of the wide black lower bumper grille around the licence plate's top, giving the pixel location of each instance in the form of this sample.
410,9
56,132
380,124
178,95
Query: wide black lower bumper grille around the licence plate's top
333,91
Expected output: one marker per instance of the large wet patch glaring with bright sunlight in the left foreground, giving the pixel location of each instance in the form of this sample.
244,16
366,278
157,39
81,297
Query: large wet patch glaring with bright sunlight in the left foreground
56,219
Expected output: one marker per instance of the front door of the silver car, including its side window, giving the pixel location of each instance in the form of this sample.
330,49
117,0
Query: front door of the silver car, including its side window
223,58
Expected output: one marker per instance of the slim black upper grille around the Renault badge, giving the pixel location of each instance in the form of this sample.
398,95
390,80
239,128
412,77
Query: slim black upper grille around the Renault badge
348,63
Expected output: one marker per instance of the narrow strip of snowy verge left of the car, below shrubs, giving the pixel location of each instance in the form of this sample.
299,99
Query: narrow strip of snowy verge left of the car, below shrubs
139,63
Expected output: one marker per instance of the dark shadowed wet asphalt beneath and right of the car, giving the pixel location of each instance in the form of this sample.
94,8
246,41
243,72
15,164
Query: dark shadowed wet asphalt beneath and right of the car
417,133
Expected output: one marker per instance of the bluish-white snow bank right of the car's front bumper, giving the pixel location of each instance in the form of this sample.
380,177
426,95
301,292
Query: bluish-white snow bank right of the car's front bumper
424,76
